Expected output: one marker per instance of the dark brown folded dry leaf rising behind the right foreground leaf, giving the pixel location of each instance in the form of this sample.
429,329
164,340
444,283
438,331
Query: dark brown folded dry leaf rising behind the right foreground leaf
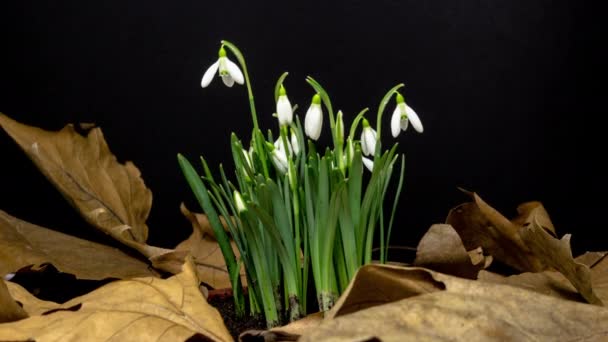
480,225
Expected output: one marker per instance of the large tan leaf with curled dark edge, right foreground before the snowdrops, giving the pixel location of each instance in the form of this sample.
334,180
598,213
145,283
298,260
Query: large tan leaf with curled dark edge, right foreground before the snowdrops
465,310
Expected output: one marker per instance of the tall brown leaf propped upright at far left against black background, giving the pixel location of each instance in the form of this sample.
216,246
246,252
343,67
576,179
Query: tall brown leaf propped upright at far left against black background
109,195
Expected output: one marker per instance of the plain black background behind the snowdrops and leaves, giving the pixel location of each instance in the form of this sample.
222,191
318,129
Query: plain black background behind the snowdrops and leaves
510,93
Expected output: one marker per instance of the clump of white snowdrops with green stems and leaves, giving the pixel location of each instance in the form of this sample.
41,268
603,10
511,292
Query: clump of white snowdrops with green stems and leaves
297,209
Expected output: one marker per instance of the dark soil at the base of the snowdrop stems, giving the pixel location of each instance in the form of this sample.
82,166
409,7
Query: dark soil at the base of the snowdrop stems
236,325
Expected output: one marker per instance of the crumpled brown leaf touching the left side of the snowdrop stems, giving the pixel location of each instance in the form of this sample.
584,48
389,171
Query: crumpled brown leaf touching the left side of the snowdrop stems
207,254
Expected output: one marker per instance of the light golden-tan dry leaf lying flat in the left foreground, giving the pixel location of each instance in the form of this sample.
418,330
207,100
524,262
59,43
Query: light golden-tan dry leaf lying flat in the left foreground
142,309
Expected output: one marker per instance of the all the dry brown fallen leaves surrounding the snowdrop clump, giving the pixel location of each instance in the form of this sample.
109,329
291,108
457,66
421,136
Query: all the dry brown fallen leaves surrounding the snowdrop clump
448,293
